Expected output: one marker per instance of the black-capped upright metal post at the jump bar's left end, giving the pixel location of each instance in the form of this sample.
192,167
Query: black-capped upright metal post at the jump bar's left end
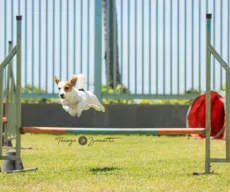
18,94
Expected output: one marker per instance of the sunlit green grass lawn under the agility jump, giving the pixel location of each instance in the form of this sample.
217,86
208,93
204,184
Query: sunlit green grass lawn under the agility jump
129,163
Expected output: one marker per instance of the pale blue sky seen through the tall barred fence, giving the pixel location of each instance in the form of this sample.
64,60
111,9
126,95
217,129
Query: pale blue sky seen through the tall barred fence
167,54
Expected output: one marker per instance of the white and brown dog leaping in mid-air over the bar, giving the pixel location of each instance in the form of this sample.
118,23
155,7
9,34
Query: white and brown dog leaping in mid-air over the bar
74,100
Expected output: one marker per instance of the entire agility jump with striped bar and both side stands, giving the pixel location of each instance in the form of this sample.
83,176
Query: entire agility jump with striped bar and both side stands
13,114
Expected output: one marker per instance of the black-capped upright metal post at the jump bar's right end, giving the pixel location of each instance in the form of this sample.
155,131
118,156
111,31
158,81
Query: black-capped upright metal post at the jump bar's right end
208,90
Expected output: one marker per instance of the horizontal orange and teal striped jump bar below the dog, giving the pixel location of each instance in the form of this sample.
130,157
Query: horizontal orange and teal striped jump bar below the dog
146,131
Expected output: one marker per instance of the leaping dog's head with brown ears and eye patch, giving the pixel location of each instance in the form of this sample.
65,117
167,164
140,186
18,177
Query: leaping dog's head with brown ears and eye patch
65,87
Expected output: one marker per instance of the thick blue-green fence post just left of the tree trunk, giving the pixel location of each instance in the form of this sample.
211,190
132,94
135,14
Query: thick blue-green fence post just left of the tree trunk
98,48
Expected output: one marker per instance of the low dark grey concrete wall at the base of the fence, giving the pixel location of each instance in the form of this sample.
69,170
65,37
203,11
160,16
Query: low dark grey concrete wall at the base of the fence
154,116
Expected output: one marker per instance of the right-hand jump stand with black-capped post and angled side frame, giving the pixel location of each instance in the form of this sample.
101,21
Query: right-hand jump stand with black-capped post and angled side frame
210,50
